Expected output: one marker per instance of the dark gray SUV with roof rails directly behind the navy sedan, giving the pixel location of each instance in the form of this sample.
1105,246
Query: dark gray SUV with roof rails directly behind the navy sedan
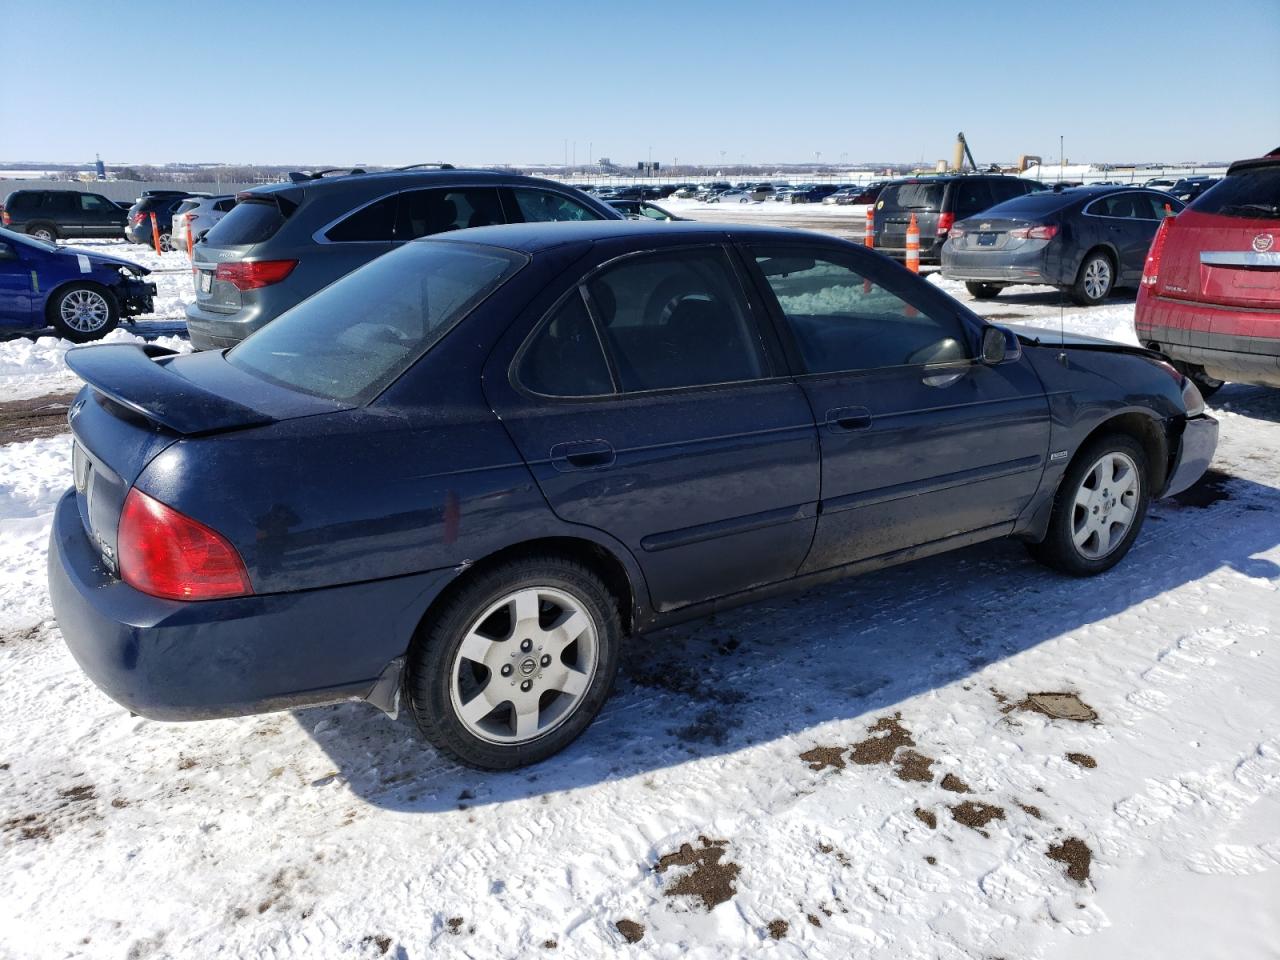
286,241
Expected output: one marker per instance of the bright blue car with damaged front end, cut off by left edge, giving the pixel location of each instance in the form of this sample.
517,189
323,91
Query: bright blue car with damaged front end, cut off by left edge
81,294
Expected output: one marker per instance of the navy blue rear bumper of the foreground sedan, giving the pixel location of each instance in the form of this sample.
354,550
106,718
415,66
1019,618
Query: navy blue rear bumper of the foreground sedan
176,661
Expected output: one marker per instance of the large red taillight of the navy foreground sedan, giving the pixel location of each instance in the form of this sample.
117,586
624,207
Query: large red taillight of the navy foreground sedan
166,554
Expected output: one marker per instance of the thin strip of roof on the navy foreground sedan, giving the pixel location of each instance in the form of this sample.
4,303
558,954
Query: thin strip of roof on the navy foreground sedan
536,237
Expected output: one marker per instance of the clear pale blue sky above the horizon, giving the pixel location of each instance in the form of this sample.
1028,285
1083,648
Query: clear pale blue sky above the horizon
477,83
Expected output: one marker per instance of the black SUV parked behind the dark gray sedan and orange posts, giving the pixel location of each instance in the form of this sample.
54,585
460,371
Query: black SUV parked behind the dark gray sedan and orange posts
938,204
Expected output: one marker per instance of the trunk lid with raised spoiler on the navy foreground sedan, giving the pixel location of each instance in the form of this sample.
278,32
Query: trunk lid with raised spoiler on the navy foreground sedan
139,401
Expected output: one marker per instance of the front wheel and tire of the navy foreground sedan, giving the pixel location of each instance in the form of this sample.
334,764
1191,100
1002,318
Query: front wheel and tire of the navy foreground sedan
1099,509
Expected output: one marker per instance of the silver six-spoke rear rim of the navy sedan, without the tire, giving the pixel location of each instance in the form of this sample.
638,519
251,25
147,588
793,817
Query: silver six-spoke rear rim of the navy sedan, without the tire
524,666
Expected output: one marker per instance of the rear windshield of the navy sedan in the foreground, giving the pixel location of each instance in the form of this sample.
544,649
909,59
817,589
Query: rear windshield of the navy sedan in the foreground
350,341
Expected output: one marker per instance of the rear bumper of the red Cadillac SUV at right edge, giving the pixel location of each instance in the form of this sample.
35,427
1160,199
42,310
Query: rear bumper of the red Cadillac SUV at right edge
1212,337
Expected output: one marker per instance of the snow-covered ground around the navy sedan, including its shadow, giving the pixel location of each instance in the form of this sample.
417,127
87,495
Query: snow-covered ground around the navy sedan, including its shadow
866,770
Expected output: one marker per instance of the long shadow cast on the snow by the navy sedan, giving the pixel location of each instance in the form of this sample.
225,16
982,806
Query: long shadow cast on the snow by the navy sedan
778,669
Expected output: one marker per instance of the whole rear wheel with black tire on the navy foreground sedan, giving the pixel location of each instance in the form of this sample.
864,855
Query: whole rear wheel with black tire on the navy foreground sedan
516,665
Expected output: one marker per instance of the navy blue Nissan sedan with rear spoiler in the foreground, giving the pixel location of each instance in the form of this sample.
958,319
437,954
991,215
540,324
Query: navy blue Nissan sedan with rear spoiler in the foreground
467,474
